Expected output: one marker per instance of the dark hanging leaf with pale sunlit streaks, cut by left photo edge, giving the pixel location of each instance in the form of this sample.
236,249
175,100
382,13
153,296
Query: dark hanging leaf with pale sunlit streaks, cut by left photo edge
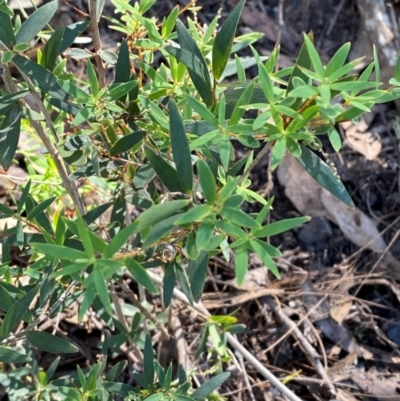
9,135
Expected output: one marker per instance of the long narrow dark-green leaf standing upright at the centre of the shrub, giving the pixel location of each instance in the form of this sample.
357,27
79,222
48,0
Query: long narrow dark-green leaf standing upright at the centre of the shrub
180,148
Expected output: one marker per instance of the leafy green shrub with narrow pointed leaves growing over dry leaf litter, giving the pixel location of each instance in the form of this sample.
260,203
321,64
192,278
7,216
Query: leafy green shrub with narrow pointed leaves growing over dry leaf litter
158,140
